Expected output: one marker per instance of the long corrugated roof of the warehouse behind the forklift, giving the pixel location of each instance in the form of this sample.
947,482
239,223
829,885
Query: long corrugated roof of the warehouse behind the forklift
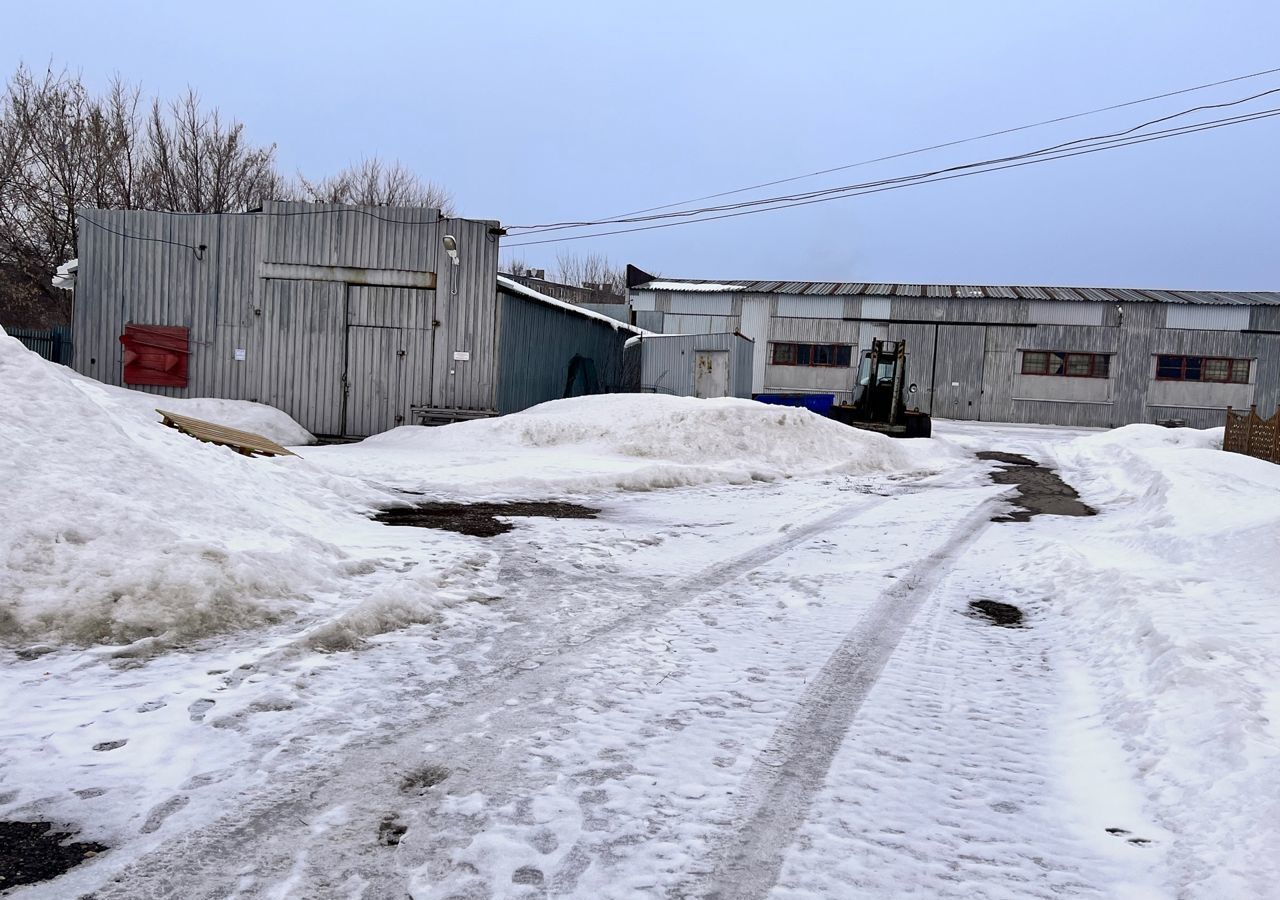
642,281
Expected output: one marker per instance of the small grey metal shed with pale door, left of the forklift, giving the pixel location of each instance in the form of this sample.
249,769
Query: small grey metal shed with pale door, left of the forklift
692,366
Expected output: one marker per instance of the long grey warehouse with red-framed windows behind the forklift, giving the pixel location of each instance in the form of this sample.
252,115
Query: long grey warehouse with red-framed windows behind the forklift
1068,357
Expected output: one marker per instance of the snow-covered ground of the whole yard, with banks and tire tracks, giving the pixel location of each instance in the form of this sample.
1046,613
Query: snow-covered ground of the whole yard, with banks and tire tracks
755,674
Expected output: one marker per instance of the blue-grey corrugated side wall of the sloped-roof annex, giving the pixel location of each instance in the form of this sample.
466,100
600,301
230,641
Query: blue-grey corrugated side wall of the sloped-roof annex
536,346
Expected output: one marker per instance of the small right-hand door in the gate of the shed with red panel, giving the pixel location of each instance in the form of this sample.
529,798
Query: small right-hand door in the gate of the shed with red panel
373,381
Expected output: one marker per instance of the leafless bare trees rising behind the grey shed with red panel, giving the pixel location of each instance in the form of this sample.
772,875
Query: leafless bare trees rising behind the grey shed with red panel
63,149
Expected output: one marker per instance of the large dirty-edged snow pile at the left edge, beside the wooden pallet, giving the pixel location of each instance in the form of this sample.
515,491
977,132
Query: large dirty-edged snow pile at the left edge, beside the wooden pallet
120,529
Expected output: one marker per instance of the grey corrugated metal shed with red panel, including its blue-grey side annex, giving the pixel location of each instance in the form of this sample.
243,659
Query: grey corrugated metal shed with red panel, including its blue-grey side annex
350,319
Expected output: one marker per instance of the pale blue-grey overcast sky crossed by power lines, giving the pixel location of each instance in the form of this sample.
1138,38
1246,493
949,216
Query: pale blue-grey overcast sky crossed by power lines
542,112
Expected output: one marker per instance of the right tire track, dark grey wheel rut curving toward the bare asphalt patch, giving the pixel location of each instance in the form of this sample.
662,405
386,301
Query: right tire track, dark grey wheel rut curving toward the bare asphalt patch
793,769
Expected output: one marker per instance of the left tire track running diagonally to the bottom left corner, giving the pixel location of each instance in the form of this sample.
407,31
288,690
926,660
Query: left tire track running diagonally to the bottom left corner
367,774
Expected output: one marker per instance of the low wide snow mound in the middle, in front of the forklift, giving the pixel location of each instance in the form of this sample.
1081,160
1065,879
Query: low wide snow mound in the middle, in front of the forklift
634,442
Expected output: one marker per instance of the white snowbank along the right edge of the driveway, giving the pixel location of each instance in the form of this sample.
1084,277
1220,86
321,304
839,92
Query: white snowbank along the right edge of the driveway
1168,599
